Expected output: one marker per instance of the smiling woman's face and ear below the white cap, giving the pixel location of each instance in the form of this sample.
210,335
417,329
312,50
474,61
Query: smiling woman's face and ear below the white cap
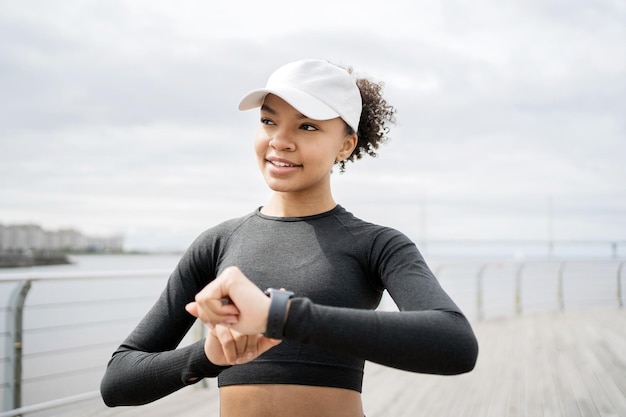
296,154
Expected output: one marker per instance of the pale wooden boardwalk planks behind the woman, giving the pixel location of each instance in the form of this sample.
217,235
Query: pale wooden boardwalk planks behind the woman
566,364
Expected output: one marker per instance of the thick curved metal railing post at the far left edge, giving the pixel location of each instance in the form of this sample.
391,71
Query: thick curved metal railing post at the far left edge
13,371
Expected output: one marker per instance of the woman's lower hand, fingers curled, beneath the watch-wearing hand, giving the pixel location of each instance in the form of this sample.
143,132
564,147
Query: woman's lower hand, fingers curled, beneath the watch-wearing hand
225,346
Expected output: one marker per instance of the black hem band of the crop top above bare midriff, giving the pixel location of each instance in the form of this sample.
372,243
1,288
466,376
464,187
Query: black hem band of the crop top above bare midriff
273,372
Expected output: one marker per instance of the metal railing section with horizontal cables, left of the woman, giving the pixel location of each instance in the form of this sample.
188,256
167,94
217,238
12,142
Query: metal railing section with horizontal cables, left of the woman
14,332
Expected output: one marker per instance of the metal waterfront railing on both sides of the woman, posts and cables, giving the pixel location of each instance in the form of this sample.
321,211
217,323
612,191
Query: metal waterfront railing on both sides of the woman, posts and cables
17,305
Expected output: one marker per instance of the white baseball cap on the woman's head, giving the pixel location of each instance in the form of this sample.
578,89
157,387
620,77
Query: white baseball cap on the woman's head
316,88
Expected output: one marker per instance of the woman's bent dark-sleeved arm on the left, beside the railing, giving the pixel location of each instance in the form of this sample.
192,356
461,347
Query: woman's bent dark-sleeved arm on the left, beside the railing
147,365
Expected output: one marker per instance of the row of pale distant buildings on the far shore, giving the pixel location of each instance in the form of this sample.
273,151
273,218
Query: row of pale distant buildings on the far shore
34,237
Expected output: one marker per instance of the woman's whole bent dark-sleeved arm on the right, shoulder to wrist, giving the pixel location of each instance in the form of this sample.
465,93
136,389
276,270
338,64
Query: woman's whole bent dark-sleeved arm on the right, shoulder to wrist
429,334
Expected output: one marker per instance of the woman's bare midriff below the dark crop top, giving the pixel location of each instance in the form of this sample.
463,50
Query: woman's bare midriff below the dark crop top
279,400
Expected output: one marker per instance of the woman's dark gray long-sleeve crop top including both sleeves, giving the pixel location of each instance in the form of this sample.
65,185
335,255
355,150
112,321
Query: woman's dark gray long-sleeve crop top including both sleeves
338,266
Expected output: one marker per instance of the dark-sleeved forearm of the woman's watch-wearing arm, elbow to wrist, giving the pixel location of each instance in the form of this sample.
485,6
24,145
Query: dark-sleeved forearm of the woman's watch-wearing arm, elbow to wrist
432,341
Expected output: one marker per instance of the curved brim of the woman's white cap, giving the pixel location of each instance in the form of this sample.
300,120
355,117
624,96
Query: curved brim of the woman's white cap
305,103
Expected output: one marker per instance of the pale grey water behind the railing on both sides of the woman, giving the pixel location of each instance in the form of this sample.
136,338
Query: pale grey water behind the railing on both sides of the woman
71,327
